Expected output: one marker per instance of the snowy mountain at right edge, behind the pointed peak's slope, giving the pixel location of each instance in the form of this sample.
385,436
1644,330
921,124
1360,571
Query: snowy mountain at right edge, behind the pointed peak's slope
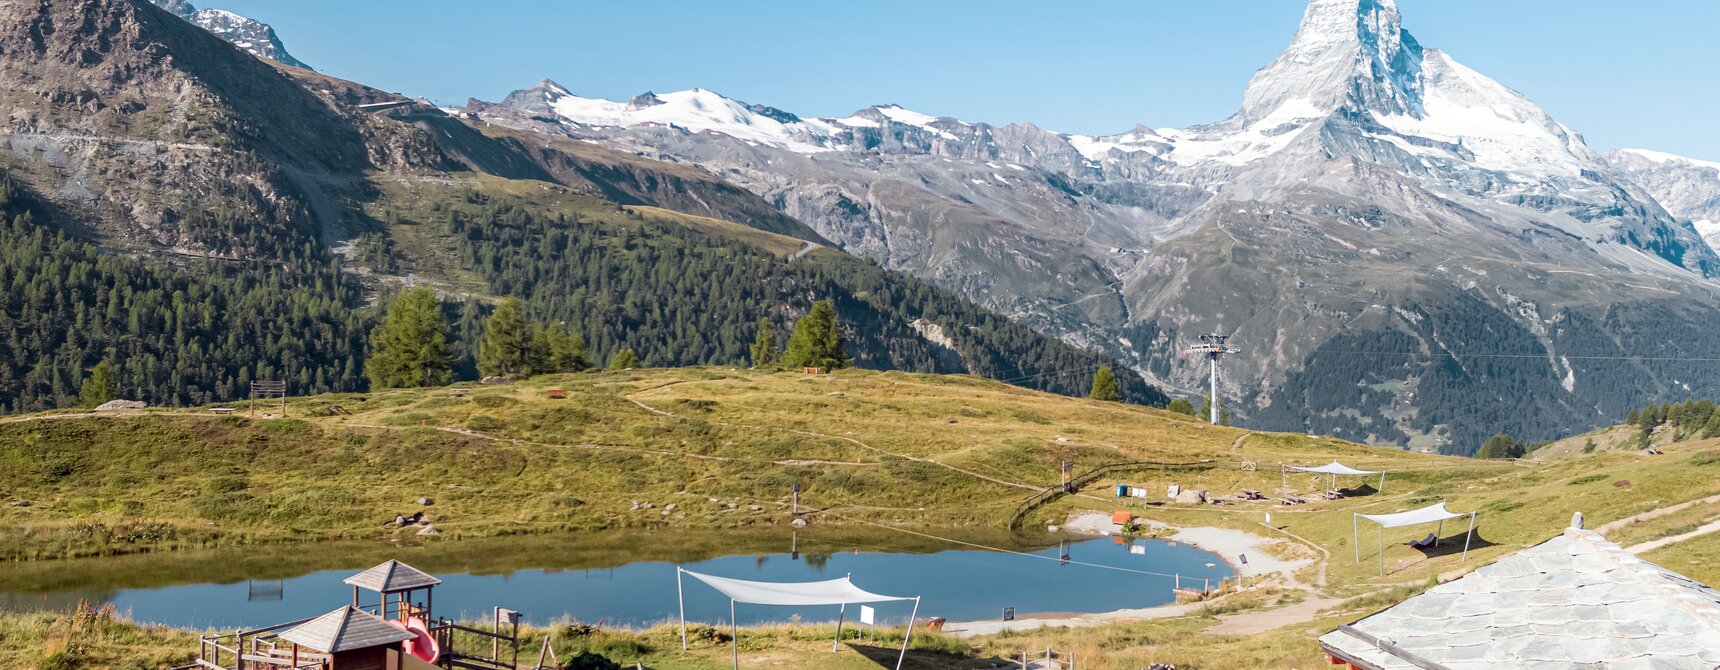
1688,188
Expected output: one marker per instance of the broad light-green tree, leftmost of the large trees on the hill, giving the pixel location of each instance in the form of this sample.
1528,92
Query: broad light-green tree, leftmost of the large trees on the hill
410,348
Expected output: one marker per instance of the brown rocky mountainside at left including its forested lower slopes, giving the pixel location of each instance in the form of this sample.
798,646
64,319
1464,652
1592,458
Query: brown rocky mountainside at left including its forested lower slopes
226,205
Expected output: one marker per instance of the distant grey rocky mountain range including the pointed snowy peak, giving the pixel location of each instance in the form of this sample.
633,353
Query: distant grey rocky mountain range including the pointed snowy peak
1392,236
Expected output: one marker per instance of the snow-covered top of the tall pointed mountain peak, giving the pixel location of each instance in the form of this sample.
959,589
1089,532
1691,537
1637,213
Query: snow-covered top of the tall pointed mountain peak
1380,95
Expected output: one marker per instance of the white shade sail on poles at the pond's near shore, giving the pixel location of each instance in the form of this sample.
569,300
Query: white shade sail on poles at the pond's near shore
830,592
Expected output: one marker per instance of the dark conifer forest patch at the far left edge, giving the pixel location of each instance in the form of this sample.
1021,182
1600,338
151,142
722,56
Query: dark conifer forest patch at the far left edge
171,336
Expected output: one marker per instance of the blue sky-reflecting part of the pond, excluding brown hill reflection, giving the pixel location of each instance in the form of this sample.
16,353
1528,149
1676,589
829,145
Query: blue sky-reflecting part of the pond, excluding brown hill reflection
961,585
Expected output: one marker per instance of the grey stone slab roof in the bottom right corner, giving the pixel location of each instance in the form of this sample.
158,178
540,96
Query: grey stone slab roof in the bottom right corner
1573,602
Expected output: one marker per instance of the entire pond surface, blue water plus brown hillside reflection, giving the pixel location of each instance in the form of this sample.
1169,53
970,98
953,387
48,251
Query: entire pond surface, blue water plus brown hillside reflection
957,582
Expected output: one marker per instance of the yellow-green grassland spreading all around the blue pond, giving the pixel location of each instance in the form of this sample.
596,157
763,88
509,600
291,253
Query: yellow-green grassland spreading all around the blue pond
949,456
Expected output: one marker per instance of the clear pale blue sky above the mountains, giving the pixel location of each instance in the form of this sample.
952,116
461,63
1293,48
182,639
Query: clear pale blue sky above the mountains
1621,73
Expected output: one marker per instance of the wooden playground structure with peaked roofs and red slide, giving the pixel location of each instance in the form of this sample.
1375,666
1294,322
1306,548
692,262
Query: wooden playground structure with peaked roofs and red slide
396,630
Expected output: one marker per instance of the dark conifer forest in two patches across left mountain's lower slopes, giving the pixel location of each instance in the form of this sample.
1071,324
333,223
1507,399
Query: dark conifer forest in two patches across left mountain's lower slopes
200,331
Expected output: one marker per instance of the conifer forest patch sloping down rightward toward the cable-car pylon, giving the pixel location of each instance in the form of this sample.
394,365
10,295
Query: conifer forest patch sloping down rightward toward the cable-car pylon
680,296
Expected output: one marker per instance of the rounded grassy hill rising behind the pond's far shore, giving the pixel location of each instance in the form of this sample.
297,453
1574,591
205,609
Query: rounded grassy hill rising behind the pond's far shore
723,446
